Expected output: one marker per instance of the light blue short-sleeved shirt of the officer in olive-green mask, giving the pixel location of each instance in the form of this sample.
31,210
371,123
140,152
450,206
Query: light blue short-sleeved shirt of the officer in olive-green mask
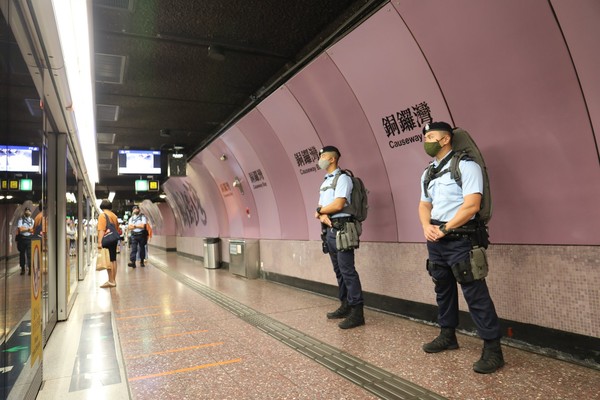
445,194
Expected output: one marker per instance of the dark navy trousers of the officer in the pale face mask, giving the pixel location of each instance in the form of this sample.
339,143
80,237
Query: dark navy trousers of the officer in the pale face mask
343,265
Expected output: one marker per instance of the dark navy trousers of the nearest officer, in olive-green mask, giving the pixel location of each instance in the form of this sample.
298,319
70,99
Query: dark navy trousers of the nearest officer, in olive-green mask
444,254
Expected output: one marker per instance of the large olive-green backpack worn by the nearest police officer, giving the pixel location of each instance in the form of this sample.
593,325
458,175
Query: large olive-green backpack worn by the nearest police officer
464,148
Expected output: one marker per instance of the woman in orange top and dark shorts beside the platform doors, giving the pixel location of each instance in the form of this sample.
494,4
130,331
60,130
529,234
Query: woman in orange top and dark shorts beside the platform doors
108,237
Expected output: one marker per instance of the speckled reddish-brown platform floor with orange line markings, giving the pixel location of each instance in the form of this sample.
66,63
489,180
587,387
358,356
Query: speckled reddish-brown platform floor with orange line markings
178,344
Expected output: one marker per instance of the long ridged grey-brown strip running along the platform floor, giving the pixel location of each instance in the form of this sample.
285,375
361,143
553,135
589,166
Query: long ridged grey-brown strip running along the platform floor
371,378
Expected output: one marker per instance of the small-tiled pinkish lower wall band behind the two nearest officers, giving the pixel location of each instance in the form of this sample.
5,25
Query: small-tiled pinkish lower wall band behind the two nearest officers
551,286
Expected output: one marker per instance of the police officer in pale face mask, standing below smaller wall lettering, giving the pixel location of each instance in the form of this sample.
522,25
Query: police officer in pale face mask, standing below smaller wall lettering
329,212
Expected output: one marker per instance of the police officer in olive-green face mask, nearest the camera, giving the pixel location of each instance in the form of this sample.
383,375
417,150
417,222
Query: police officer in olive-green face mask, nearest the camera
442,210
